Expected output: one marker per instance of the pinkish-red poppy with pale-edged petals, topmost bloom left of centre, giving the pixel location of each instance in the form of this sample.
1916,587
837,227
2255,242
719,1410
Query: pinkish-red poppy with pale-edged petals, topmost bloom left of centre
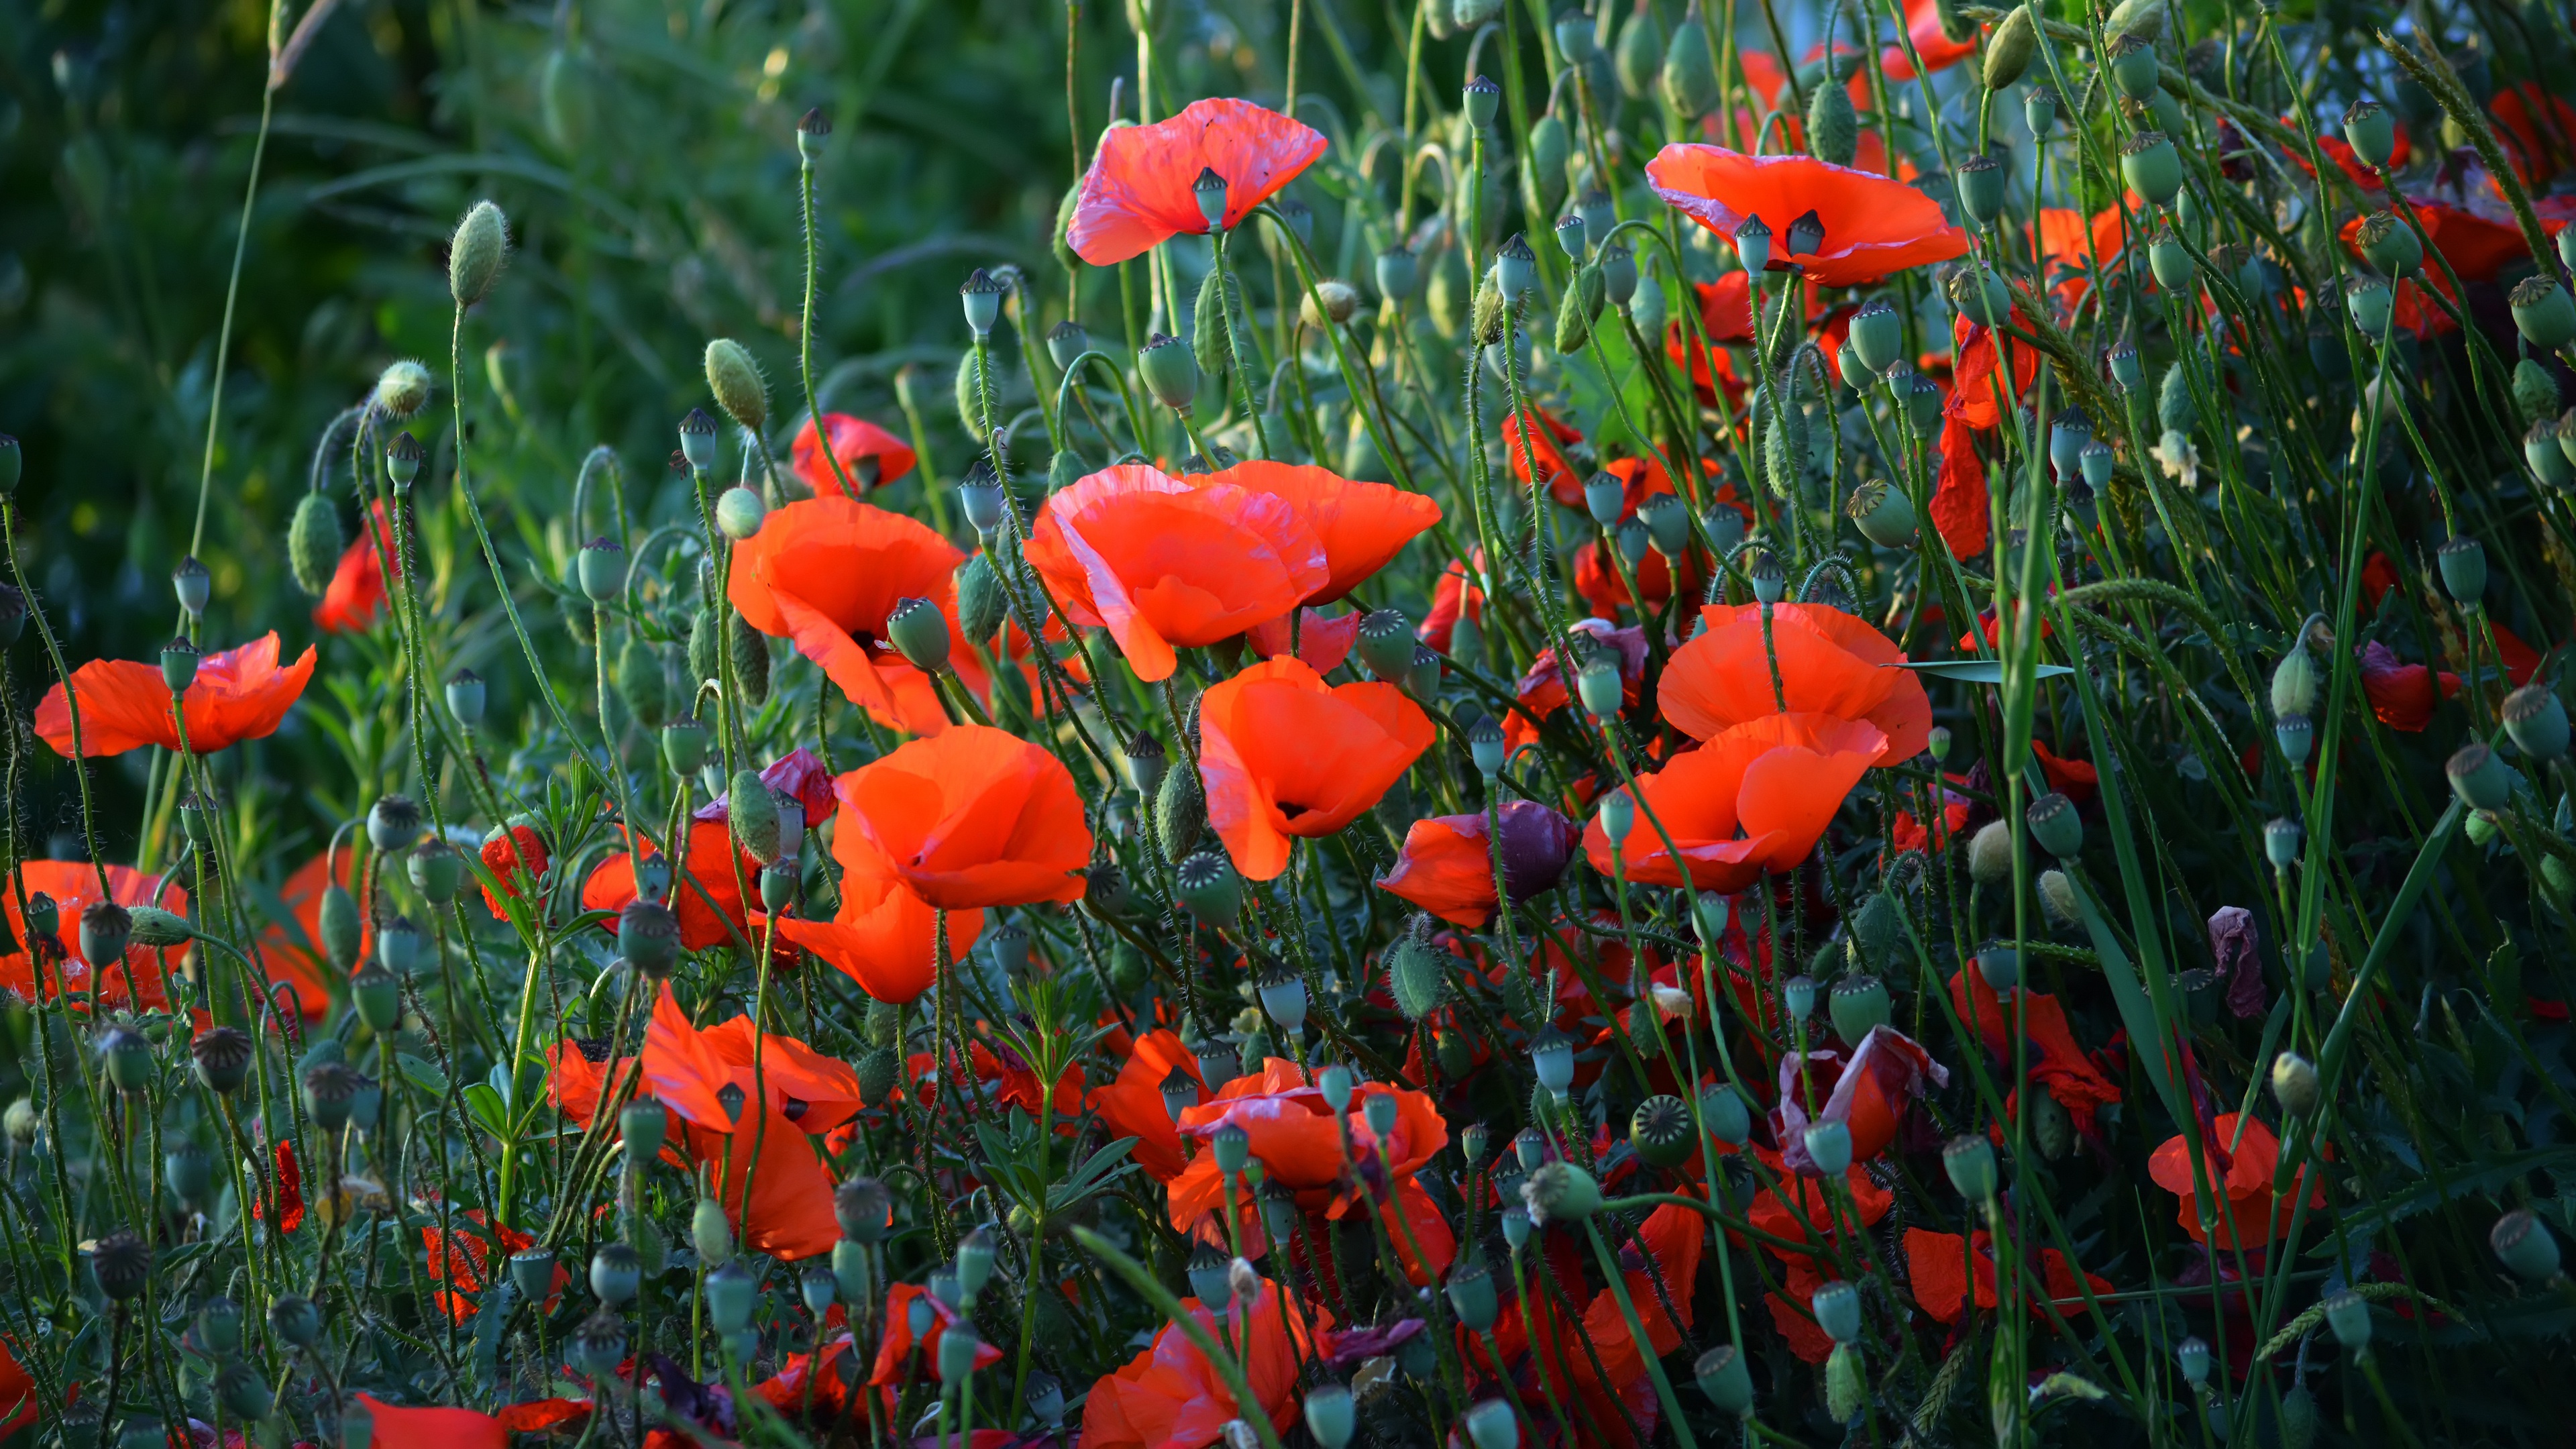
1142,184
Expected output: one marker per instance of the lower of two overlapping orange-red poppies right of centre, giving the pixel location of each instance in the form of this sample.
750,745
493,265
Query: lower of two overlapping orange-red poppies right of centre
1748,803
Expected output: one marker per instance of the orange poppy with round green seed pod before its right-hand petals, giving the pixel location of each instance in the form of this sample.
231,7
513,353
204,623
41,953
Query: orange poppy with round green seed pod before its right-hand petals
828,574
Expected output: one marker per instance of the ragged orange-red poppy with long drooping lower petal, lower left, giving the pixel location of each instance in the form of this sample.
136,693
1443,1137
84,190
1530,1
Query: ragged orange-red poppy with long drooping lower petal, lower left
792,1097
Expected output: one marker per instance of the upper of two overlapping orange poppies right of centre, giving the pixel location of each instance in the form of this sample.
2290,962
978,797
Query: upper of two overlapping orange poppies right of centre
1830,664
